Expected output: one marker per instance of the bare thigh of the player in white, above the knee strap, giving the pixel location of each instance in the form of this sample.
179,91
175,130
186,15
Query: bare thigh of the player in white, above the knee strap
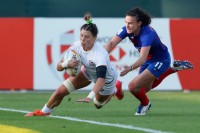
79,81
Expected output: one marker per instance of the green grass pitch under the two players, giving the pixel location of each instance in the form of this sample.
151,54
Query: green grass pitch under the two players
175,112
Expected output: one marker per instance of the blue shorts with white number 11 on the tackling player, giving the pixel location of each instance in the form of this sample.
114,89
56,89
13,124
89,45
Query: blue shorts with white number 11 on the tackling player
157,68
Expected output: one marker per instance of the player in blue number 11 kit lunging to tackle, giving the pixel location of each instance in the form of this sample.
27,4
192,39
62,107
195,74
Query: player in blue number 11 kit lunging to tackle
154,60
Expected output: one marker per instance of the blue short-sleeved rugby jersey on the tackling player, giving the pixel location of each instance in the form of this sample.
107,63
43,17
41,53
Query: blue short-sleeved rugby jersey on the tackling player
147,37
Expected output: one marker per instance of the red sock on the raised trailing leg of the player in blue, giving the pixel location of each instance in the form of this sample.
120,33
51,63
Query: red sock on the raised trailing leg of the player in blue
163,76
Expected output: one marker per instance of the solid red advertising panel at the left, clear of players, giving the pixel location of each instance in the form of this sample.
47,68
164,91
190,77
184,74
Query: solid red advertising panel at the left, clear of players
16,53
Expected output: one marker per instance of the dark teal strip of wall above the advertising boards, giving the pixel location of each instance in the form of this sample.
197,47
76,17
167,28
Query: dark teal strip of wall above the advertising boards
99,8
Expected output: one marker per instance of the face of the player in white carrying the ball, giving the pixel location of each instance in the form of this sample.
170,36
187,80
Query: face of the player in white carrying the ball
87,39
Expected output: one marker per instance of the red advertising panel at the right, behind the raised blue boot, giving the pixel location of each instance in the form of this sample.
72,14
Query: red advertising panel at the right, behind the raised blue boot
185,44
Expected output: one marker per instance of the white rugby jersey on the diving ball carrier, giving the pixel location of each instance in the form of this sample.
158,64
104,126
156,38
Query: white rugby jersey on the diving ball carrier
97,56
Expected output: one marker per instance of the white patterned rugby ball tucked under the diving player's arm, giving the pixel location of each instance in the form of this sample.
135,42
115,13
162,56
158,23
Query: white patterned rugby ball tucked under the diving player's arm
72,55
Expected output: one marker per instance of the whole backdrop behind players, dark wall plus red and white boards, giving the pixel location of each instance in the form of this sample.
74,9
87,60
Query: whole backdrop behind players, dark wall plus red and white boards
35,33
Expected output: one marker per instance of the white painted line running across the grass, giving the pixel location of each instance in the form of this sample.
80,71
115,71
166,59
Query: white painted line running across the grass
147,130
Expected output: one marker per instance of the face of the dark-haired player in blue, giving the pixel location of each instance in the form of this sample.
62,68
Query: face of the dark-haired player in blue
132,25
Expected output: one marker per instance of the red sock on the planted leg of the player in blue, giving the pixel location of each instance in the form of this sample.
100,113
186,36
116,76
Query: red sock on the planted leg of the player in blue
142,97
